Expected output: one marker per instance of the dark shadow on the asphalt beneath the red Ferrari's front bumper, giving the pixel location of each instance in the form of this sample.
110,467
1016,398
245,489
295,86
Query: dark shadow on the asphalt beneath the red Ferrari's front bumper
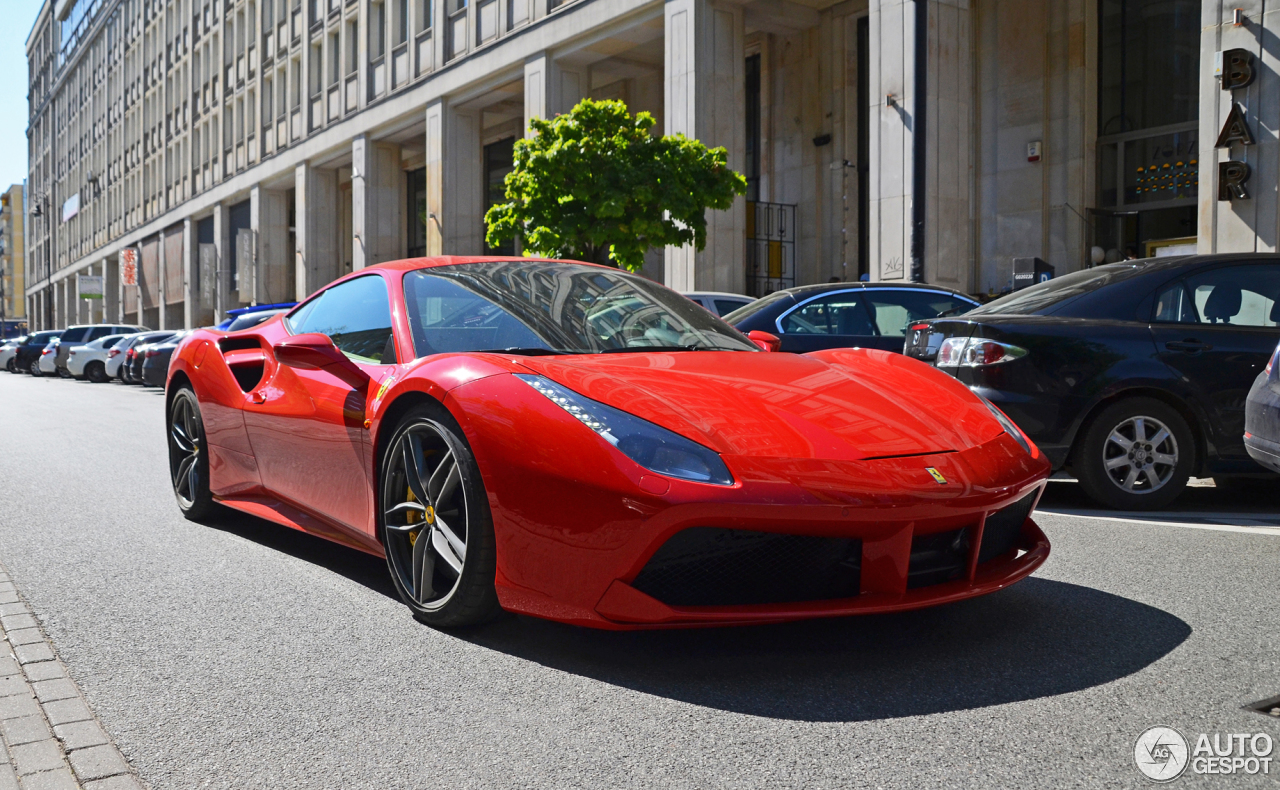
1037,640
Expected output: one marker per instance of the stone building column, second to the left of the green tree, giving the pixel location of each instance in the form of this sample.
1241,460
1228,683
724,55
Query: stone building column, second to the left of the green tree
377,203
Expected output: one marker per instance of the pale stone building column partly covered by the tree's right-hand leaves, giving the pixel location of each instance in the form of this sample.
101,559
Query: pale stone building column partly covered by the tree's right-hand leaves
705,101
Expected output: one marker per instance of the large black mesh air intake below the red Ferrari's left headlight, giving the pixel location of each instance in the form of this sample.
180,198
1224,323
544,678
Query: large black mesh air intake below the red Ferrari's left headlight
711,567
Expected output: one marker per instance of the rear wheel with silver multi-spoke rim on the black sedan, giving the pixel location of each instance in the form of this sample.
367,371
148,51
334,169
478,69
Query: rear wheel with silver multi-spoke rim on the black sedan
1137,455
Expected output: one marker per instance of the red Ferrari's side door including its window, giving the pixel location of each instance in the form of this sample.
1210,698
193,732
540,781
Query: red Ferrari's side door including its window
307,427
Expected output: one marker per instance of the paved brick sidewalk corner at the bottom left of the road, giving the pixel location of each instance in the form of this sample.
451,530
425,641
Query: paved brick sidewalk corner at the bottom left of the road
53,741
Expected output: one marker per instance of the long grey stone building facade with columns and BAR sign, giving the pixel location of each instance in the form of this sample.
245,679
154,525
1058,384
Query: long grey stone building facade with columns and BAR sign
254,150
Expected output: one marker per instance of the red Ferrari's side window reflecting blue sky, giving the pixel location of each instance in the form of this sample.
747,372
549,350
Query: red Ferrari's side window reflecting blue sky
358,318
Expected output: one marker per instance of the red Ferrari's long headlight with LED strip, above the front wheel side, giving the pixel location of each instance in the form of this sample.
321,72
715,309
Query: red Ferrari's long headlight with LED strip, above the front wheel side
648,445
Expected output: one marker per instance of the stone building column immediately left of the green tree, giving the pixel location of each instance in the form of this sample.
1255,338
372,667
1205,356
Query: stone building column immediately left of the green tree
455,170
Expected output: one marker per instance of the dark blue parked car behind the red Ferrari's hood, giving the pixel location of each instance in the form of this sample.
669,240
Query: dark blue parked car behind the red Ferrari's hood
844,316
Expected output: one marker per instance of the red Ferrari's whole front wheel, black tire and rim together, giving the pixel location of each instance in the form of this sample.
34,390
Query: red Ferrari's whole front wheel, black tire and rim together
436,523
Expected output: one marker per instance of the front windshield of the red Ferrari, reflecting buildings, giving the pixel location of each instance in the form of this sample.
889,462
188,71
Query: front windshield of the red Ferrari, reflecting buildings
542,308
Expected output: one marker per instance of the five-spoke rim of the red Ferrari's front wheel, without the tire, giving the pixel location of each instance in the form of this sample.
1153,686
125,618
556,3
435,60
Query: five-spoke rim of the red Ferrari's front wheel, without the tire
426,515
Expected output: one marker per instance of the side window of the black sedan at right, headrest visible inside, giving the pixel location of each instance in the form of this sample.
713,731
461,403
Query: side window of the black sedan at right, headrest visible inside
1245,295
